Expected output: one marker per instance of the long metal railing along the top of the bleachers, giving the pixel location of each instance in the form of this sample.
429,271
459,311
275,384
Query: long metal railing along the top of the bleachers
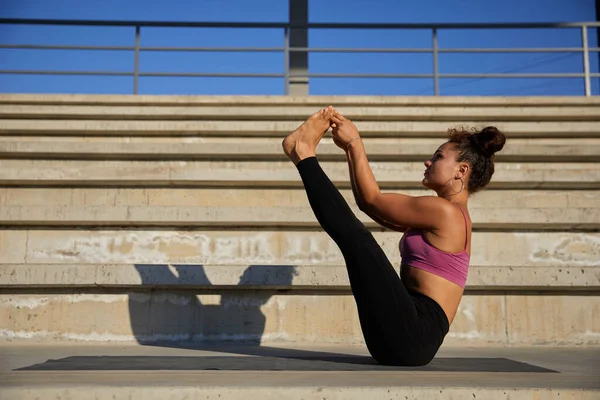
435,50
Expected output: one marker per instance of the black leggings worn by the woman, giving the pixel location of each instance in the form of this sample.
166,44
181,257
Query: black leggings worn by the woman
400,327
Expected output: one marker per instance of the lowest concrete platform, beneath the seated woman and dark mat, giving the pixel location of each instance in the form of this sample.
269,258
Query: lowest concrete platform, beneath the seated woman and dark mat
300,372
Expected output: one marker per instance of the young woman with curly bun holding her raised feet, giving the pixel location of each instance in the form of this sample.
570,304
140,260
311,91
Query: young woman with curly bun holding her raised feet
404,319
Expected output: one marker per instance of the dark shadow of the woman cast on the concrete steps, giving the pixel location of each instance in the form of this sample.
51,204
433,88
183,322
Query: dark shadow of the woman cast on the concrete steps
163,316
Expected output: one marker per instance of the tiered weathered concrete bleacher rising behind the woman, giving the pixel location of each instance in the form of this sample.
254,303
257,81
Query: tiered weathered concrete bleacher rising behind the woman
146,219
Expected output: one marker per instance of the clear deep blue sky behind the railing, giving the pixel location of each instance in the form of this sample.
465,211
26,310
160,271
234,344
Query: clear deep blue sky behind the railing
332,11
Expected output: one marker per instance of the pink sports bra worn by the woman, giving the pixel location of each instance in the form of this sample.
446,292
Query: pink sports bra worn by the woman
417,253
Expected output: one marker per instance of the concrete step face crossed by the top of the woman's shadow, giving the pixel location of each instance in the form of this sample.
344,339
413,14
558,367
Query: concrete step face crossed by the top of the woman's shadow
312,277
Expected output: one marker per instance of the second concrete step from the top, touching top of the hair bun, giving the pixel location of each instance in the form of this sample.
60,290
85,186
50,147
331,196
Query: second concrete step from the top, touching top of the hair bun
215,127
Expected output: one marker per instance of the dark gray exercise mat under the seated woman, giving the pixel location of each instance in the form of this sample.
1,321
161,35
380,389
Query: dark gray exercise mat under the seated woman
253,363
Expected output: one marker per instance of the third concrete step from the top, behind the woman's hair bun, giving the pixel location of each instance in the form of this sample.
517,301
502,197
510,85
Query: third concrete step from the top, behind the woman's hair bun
211,148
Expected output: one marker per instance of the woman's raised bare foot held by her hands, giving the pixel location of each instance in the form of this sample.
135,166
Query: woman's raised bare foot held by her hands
302,143
